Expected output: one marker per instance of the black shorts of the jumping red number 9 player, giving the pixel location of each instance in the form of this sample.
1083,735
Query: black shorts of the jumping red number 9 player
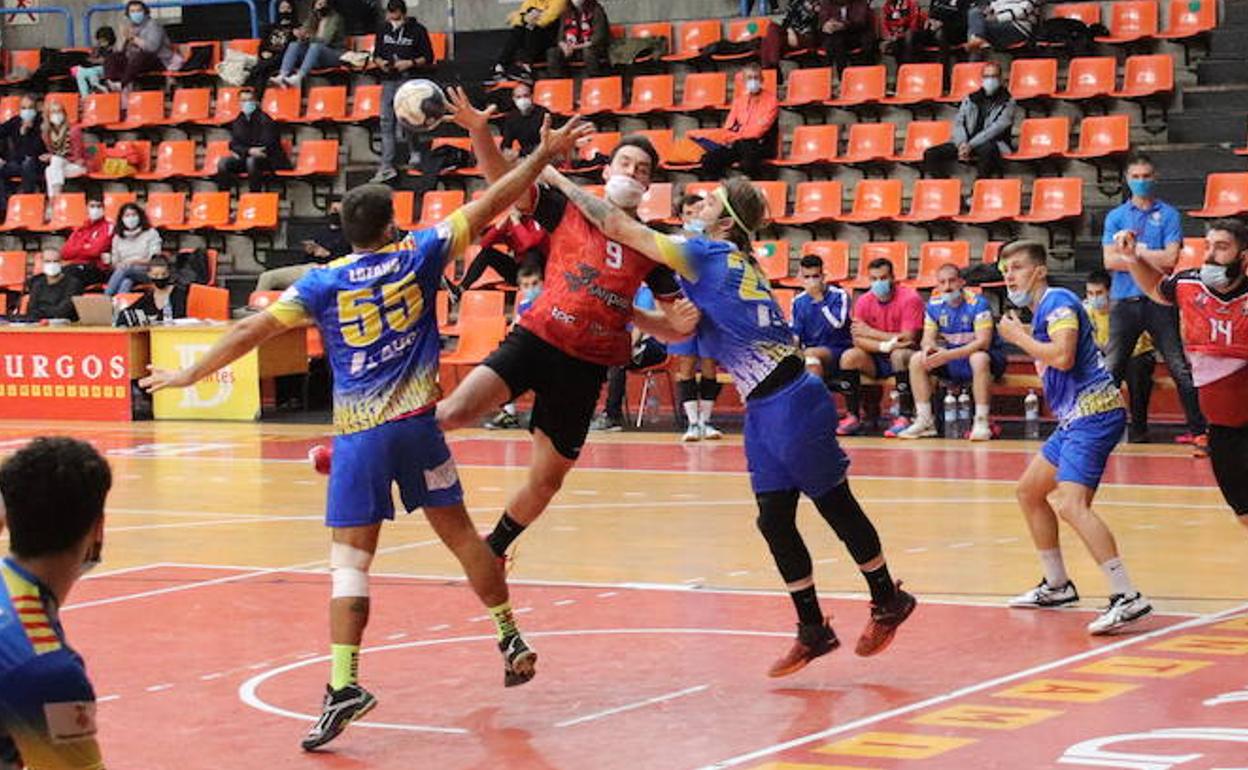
565,387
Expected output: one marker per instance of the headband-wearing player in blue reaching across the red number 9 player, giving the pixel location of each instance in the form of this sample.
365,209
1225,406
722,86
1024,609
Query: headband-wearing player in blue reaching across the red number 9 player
791,421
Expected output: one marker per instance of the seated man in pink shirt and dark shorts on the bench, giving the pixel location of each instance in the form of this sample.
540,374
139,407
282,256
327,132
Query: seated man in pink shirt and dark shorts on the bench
888,326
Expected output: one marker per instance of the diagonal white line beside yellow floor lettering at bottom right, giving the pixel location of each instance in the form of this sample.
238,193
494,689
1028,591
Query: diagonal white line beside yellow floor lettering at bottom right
972,690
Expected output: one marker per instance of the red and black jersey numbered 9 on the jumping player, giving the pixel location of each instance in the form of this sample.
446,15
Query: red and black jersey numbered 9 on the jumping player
586,305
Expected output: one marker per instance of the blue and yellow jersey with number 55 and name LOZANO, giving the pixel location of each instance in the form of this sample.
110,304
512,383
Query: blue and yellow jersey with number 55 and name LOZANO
376,315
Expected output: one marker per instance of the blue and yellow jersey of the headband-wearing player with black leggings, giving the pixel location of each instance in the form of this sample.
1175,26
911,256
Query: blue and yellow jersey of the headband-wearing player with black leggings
742,326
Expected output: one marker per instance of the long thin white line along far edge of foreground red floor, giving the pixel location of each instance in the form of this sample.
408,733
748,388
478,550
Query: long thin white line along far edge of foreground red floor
670,587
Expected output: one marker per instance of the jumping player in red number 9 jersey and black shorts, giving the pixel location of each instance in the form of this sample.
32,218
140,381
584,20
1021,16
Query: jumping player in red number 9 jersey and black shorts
577,329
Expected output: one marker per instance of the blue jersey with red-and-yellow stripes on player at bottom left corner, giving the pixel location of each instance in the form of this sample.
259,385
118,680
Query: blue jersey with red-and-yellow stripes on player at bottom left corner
47,702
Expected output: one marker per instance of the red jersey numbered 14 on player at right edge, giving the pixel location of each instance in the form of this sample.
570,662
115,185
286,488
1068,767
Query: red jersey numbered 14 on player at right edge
1215,328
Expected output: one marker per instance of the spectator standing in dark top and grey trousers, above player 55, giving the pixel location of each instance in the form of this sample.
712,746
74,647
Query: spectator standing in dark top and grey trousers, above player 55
402,52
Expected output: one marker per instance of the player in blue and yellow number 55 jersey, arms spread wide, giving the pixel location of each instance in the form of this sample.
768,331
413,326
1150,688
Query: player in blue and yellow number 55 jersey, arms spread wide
375,311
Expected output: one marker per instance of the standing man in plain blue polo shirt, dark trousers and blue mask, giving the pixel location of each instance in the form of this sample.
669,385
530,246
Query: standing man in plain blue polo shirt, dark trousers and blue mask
1150,229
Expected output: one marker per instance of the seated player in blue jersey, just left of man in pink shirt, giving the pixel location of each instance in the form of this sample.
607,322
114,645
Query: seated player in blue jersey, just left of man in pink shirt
822,319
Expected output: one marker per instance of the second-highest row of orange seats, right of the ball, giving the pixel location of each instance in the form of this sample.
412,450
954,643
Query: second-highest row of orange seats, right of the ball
864,87
